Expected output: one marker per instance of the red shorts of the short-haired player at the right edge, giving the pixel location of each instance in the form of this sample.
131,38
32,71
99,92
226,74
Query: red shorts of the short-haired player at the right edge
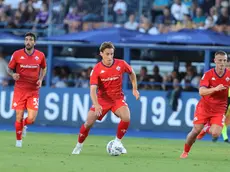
217,119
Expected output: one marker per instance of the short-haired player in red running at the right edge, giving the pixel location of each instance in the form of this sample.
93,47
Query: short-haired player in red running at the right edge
213,103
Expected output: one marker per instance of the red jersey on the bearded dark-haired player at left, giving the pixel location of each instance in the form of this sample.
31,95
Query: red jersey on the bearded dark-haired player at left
28,67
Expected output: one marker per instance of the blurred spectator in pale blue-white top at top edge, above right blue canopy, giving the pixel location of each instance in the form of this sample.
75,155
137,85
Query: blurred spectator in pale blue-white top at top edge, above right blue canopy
178,9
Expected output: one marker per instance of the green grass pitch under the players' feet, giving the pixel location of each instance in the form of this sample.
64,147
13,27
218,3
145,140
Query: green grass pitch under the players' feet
44,152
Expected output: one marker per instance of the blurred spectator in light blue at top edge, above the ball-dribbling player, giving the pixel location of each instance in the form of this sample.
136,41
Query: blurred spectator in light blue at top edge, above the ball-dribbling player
120,9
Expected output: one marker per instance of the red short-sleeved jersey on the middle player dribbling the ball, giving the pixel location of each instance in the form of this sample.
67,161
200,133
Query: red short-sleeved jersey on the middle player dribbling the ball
109,79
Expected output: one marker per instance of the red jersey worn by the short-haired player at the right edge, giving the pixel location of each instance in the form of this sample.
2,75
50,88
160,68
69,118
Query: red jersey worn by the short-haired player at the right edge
215,103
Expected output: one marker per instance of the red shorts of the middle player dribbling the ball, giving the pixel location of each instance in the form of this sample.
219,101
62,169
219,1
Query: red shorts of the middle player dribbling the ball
109,105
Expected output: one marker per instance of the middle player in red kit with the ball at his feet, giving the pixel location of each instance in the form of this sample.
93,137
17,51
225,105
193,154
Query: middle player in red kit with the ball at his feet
106,94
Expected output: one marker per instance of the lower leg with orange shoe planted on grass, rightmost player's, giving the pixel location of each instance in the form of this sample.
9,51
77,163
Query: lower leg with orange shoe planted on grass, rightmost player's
191,138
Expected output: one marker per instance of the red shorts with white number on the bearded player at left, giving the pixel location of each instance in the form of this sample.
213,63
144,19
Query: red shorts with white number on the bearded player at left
25,99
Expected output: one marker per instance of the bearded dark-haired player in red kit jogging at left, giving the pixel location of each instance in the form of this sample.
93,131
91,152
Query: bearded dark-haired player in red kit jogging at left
28,68
